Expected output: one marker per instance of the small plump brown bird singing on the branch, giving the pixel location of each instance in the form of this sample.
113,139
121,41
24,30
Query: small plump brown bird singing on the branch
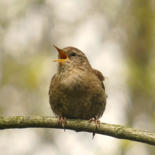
77,90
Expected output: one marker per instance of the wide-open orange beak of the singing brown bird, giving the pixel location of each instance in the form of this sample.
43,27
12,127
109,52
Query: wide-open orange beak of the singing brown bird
62,55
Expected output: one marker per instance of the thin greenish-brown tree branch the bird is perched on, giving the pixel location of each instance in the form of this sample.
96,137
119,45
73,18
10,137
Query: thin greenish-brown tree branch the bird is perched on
116,131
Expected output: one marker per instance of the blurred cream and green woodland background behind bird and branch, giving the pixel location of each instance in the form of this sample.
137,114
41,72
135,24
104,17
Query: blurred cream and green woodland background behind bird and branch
119,39
